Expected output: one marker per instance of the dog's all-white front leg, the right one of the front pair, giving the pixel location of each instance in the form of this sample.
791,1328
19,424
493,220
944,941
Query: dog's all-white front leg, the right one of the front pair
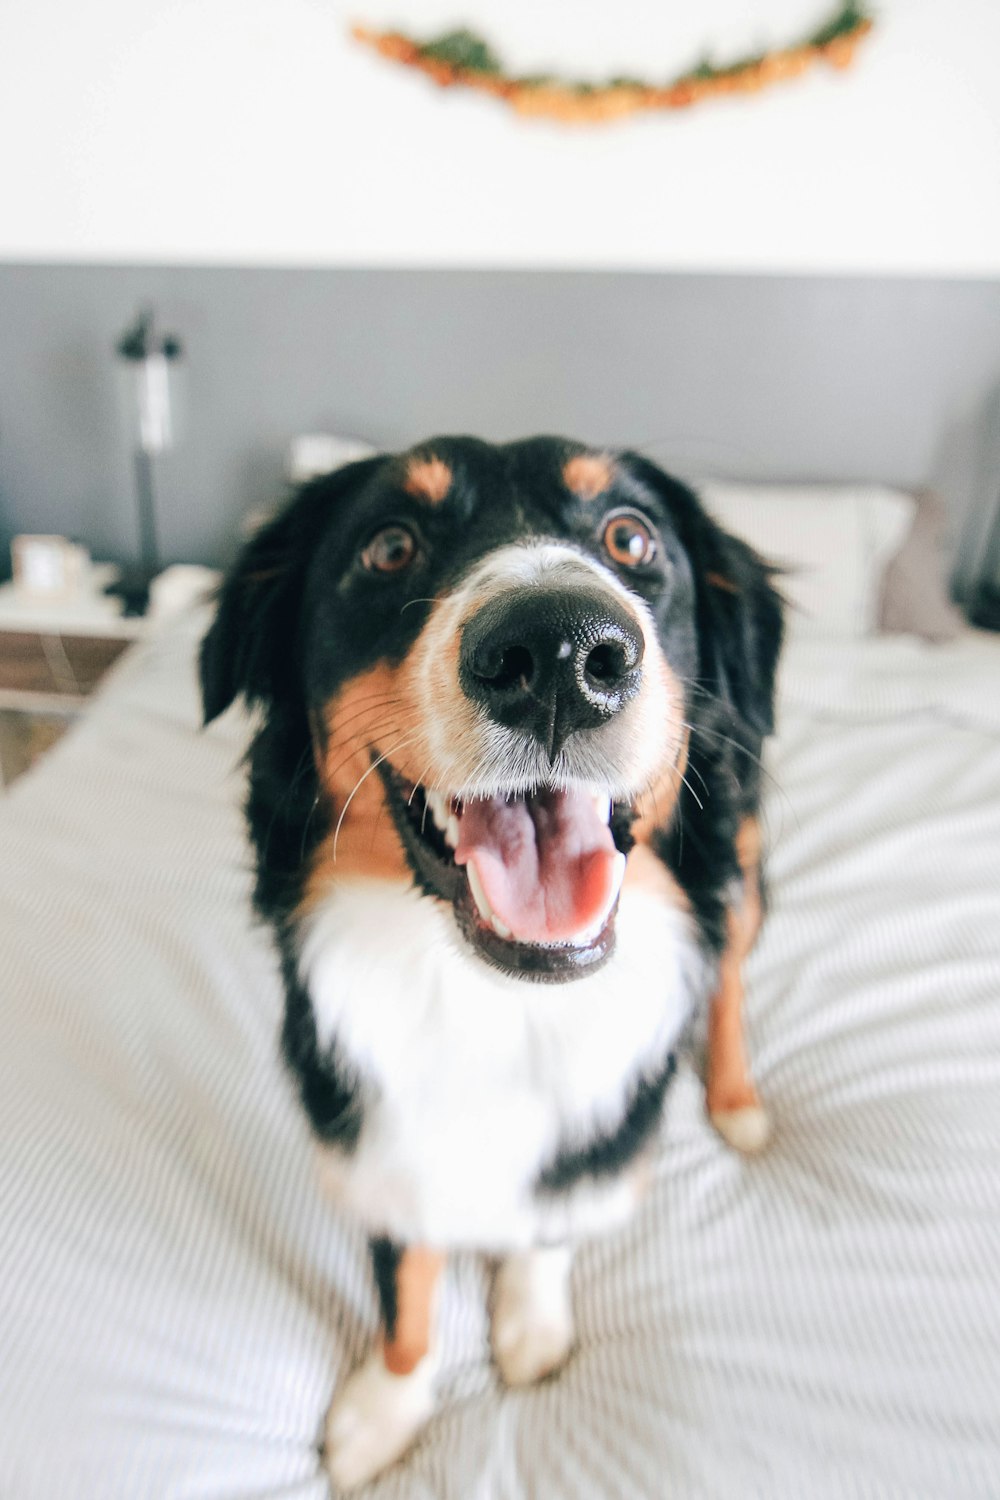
533,1319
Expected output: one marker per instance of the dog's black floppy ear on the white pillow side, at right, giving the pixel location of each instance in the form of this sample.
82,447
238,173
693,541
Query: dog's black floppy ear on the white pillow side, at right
740,611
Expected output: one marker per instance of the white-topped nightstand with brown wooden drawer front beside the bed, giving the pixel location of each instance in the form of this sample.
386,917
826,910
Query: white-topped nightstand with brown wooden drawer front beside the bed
53,653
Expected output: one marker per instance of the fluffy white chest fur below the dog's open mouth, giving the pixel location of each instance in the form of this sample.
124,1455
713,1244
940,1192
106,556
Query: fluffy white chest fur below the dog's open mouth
478,1079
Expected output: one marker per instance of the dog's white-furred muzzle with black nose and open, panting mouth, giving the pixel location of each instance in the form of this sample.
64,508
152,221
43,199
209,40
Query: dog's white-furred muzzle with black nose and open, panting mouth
531,848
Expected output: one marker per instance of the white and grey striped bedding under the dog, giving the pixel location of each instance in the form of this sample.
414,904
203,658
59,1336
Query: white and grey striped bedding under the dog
178,1301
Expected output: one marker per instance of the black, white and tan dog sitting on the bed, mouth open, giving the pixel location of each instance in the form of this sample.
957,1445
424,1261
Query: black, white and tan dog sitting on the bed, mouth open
504,800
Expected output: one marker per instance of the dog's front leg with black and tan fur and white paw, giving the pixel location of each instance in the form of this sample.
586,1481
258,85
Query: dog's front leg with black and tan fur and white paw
388,1402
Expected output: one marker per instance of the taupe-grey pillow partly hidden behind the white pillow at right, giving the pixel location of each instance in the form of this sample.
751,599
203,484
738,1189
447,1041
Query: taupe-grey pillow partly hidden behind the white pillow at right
915,586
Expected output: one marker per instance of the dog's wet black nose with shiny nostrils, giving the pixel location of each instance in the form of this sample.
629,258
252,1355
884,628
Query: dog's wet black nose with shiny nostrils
552,661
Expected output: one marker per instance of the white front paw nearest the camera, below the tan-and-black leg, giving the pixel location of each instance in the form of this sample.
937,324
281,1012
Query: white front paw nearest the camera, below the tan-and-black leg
376,1418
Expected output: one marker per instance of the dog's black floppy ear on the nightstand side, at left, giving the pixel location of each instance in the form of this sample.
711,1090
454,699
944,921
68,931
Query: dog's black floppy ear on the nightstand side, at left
250,647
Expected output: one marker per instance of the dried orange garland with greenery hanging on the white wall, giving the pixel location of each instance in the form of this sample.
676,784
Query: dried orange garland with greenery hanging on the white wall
466,59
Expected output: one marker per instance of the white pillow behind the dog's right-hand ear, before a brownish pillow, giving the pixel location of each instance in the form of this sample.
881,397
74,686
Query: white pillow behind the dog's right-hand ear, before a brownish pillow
834,541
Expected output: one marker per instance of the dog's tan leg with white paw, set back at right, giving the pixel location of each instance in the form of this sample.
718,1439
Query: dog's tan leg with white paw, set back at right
734,1103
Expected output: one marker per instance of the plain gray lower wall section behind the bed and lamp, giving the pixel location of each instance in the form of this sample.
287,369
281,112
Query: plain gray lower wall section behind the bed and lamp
738,376
